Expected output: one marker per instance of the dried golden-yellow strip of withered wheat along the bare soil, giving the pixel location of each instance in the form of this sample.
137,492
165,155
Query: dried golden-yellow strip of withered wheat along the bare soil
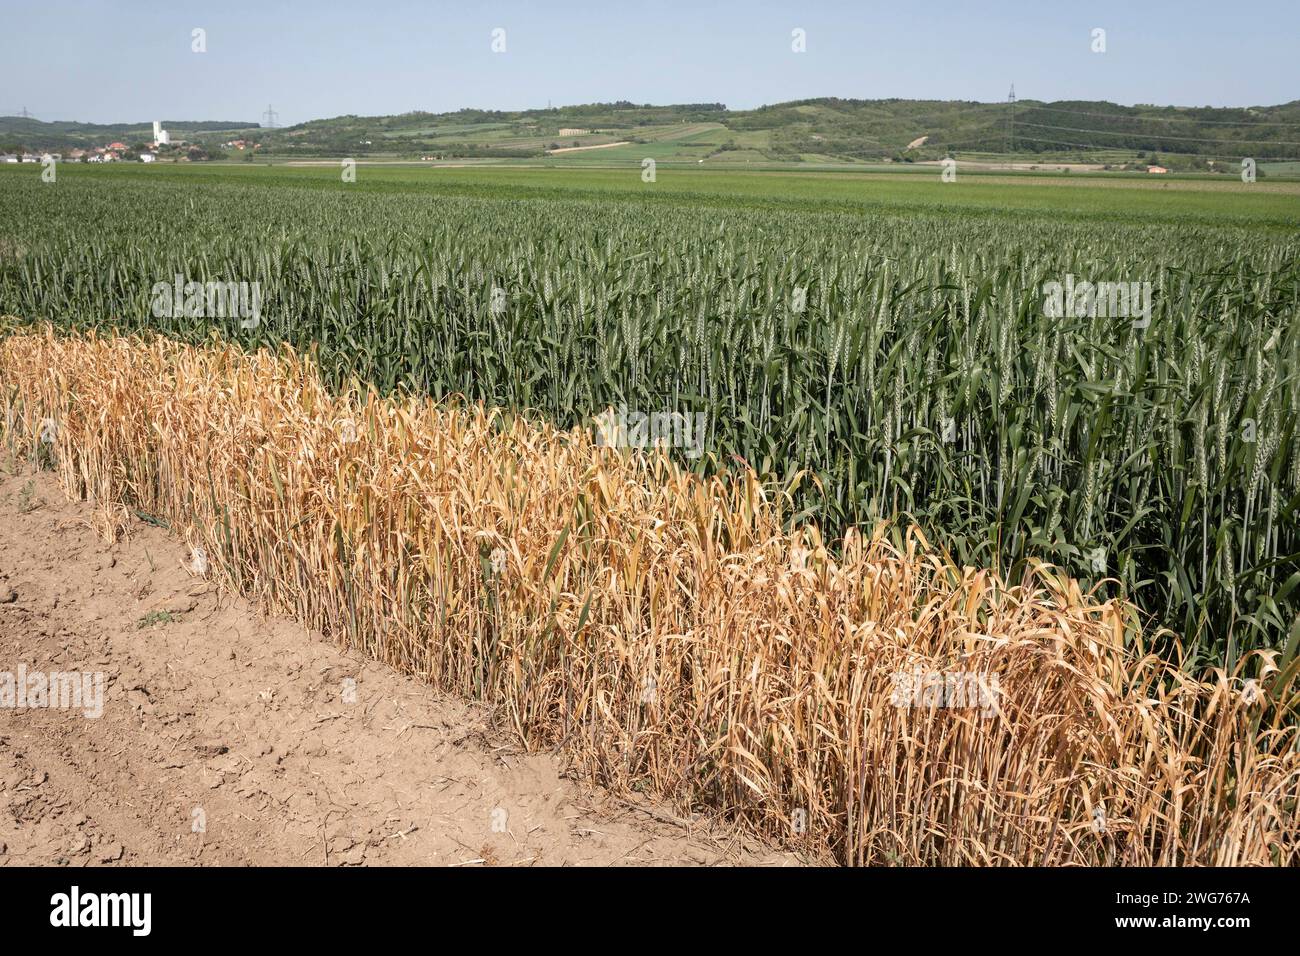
665,631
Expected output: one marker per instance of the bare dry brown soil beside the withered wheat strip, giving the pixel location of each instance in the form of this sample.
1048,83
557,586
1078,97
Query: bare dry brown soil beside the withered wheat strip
229,738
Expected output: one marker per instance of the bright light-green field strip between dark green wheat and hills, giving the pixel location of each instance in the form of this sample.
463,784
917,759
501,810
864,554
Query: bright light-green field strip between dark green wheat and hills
1134,200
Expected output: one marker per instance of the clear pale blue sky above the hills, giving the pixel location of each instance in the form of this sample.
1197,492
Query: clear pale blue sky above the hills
102,60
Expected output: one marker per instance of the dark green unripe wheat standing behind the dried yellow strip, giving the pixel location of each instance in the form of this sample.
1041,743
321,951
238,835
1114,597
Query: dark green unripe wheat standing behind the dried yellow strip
900,362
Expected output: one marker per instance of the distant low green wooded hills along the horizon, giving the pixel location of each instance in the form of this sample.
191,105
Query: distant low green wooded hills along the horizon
818,131
